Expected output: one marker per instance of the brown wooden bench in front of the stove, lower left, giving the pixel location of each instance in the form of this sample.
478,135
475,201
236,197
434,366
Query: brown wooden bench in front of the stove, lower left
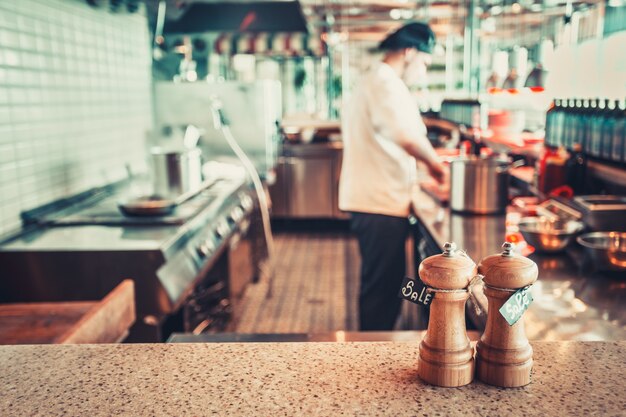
105,321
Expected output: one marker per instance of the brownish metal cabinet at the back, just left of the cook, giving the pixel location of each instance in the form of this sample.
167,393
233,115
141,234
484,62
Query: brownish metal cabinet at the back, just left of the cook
307,182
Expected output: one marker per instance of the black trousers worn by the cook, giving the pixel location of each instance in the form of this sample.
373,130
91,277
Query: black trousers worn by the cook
383,265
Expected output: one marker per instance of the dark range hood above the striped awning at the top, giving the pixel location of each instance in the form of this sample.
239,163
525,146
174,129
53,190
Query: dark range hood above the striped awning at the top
236,16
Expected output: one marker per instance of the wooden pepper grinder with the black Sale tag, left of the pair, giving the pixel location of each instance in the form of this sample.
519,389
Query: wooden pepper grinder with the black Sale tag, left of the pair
446,357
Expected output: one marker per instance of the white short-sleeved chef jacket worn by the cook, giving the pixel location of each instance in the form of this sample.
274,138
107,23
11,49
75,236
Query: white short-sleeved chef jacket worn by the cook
377,174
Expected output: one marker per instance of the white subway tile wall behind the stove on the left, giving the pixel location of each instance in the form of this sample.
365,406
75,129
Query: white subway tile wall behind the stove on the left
75,100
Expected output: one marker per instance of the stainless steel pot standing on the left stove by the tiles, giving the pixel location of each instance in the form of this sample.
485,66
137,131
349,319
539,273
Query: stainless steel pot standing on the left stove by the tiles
177,171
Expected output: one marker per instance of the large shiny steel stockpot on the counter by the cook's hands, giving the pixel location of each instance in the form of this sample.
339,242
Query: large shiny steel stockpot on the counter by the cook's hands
479,185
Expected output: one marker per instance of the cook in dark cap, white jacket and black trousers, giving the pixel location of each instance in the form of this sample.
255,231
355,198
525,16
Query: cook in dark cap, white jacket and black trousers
383,136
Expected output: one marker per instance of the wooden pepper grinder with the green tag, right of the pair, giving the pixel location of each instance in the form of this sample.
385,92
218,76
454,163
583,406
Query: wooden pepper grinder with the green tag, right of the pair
504,356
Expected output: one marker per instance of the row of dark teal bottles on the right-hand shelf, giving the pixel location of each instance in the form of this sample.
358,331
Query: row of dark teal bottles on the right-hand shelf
598,126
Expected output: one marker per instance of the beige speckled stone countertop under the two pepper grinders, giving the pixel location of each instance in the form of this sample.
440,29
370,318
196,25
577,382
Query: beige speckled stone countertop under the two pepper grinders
275,379
